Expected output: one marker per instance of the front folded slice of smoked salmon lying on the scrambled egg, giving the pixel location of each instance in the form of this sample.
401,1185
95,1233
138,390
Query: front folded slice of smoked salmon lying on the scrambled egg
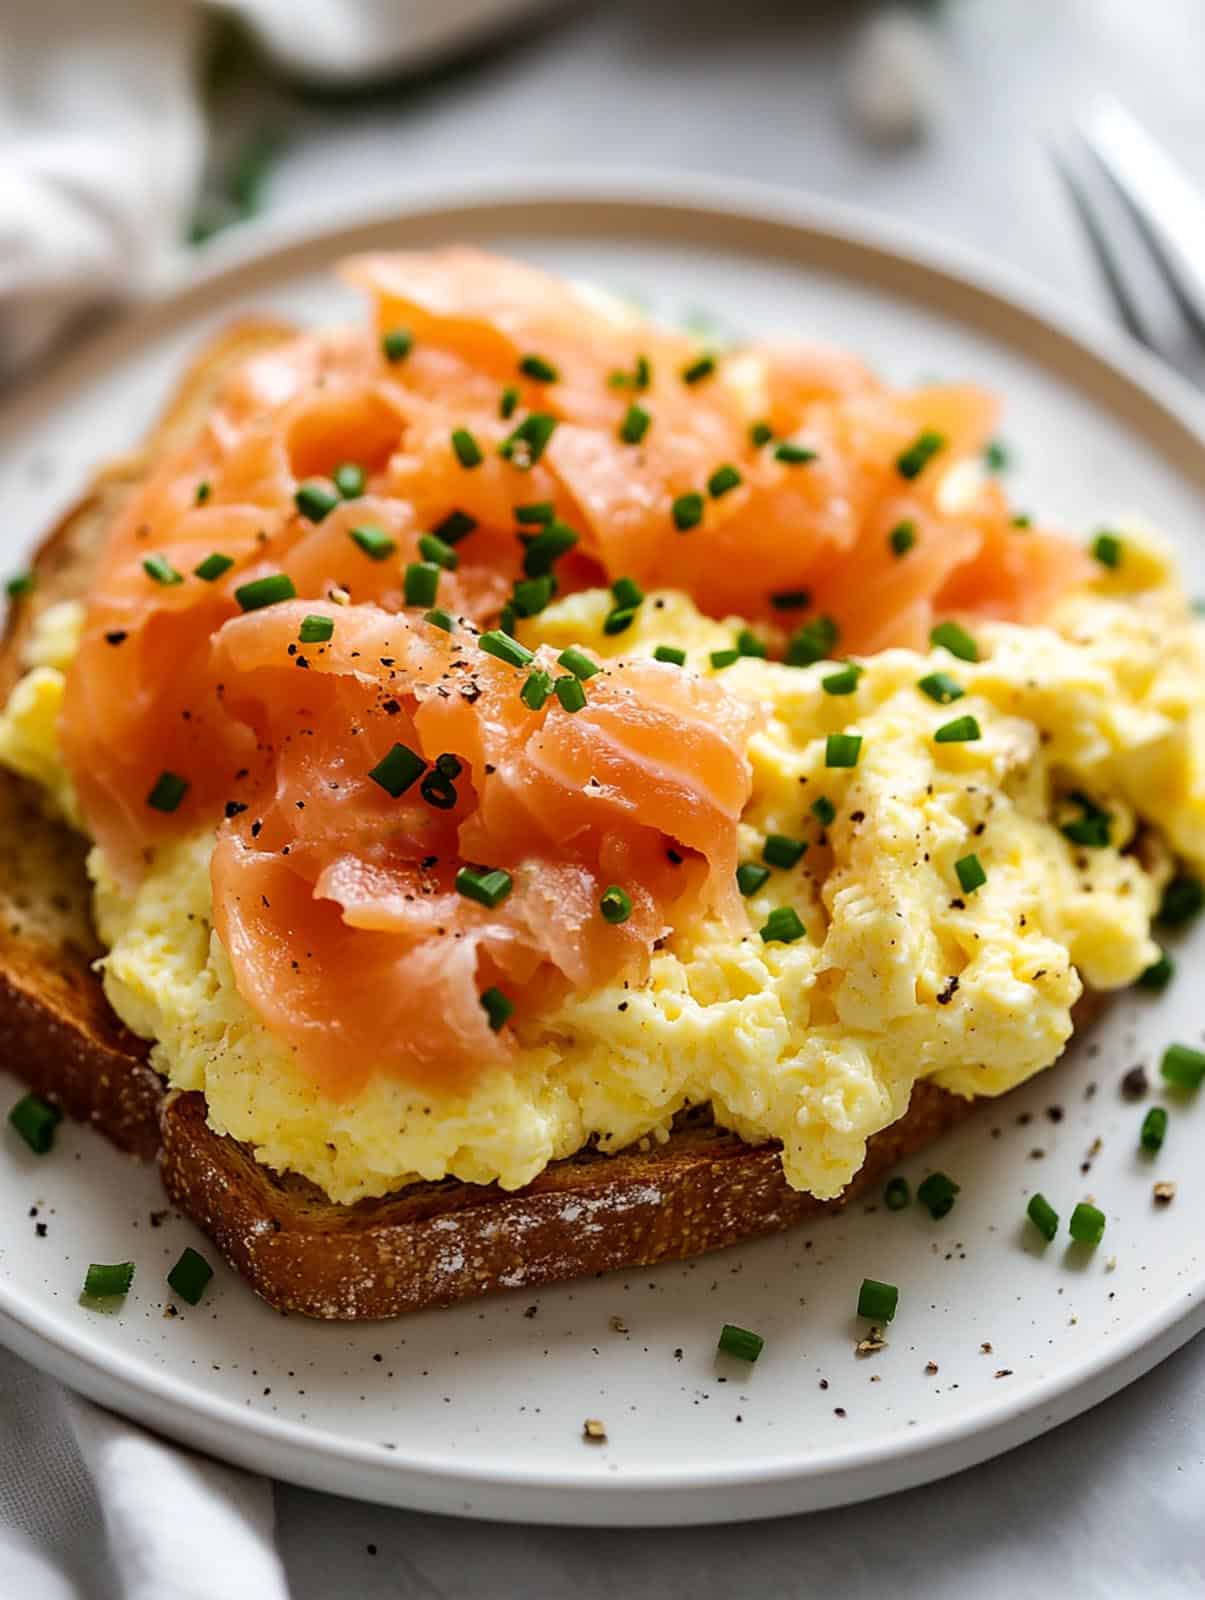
337,889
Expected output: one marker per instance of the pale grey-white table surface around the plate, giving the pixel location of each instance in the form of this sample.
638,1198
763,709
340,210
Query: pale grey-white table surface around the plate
1107,1506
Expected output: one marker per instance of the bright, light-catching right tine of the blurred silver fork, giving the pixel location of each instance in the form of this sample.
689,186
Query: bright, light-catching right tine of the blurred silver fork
1159,196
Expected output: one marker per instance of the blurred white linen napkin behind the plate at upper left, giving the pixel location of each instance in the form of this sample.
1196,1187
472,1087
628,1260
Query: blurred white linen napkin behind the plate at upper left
103,134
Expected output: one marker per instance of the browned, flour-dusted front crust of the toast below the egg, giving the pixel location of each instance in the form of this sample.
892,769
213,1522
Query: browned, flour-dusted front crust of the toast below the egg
438,1244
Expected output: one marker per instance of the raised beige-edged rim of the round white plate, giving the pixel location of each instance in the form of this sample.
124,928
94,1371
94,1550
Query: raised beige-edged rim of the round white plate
643,1495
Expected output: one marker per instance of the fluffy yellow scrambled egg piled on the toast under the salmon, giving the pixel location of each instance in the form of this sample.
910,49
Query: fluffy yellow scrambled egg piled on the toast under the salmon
903,974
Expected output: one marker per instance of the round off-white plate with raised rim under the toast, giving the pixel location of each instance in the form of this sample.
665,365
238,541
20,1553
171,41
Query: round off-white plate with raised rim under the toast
479,1409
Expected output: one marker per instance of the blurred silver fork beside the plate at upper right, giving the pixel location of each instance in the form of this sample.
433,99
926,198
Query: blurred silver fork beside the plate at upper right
1169,217
